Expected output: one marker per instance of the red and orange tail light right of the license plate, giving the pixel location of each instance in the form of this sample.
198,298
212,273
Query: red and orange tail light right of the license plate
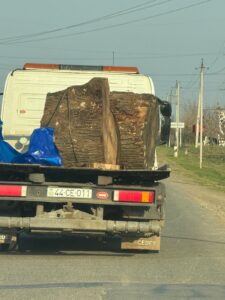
134,196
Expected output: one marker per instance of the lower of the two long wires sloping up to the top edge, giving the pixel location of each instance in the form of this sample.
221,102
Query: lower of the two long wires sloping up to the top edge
120,24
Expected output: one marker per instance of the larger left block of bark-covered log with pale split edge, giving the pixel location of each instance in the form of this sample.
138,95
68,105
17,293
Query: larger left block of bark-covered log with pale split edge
85,130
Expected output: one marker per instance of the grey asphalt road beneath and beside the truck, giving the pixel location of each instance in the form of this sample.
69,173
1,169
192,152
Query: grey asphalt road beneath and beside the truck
191,264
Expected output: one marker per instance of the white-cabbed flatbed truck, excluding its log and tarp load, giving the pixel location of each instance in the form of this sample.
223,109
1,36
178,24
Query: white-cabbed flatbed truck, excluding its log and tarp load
78,201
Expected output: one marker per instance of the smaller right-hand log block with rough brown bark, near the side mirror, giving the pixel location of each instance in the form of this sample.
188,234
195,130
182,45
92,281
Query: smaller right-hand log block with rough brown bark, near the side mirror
138,121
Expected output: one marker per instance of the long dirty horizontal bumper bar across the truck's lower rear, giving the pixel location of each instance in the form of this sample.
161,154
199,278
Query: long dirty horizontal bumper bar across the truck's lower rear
81,226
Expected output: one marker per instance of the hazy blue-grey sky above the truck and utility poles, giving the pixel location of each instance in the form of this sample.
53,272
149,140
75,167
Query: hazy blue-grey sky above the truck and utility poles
166,39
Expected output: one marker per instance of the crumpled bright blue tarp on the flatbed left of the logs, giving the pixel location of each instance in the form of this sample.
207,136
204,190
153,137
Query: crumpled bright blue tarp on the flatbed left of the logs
41,150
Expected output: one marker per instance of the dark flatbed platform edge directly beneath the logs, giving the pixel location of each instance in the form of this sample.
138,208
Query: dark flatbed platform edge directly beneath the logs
62,174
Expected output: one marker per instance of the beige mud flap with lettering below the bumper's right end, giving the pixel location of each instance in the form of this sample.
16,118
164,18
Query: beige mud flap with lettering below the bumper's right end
141,243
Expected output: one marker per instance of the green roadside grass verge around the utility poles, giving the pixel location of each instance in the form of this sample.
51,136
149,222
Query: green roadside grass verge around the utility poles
213,167
